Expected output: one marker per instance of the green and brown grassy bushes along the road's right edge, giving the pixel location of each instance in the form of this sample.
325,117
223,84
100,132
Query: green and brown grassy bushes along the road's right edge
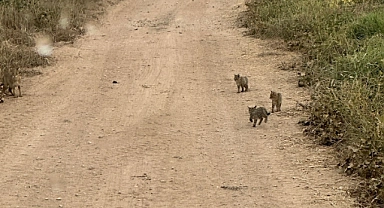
342,47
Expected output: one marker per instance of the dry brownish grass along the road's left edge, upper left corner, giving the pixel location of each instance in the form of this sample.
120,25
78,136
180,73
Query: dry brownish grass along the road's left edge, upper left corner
23,23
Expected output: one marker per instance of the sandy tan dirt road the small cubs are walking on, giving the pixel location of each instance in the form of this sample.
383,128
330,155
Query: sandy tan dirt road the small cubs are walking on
173,131
